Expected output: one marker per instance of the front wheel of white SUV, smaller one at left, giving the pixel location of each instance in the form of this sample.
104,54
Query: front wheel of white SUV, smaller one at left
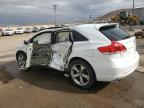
21,59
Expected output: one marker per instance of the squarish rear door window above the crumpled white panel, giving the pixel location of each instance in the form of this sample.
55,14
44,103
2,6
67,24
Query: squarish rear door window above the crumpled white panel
62,37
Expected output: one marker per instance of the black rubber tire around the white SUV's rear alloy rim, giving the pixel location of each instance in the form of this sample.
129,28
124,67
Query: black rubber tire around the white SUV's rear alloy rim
88,70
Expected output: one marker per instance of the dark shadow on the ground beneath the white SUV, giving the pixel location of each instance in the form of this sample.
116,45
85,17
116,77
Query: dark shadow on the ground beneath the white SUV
48,79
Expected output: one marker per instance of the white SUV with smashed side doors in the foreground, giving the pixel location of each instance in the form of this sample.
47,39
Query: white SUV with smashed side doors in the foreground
88,52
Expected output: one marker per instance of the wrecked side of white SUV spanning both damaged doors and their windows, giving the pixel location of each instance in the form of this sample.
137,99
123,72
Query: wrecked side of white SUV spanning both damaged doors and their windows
55,55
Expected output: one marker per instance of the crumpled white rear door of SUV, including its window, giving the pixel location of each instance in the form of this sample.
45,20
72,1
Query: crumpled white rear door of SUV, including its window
62,49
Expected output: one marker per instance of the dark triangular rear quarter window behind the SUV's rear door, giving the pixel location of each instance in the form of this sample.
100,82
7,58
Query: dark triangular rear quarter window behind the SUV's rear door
78,37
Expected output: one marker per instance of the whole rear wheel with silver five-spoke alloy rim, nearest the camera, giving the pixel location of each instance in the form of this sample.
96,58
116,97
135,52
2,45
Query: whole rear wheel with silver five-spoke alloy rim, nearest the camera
81,74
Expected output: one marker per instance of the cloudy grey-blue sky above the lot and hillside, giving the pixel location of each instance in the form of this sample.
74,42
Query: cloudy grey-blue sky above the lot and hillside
41,11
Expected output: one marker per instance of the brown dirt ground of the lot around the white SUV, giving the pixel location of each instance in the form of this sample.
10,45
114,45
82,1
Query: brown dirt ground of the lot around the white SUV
46,88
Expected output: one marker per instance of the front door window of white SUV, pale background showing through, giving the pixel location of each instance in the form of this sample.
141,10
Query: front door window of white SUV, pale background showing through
44,38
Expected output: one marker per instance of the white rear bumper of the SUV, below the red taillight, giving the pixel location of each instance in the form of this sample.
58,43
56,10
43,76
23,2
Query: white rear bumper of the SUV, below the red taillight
115,70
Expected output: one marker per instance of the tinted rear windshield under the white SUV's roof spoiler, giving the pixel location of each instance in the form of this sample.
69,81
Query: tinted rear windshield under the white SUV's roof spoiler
113,33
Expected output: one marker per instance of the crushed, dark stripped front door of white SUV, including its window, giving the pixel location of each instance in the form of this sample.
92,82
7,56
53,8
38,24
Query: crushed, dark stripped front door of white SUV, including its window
42,50
